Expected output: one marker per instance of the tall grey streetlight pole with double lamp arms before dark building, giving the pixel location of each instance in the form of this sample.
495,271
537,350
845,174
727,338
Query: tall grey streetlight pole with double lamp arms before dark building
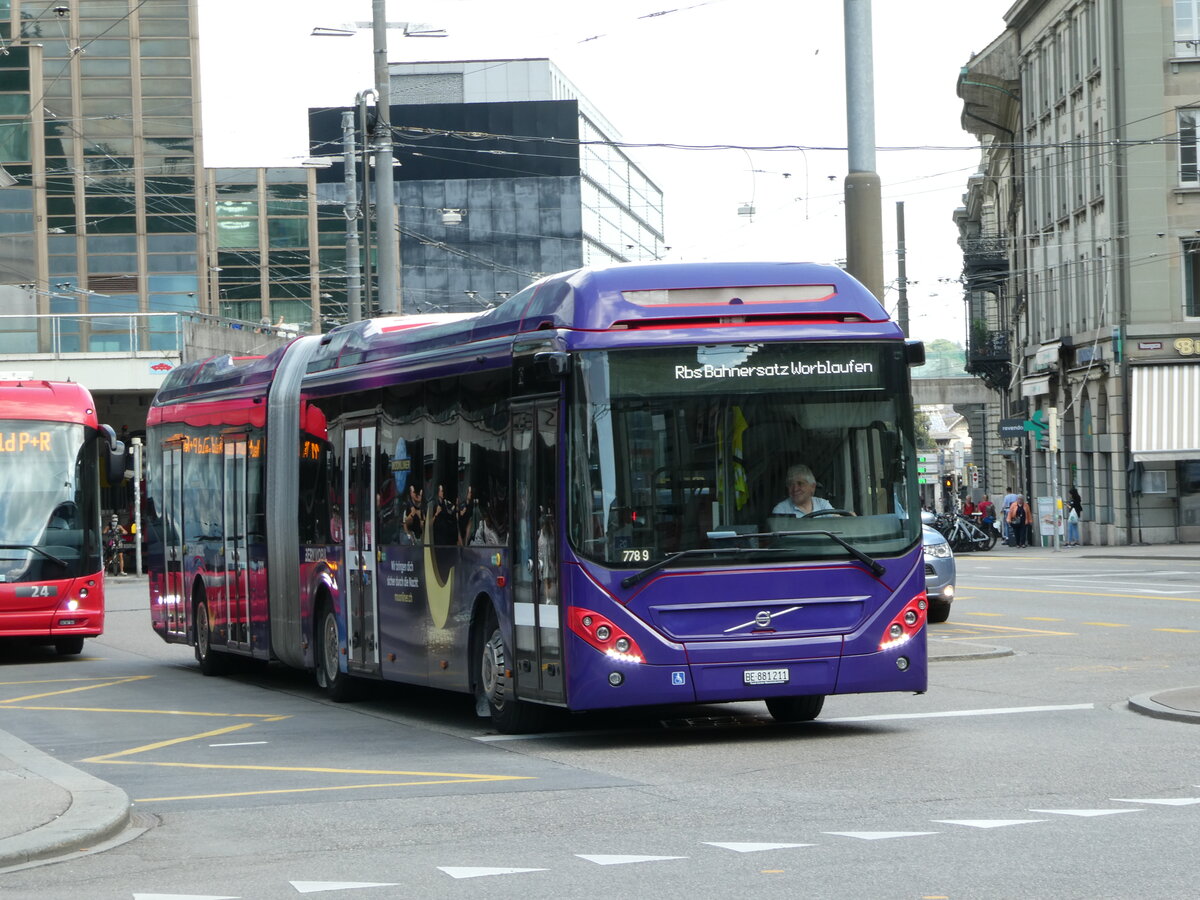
386,200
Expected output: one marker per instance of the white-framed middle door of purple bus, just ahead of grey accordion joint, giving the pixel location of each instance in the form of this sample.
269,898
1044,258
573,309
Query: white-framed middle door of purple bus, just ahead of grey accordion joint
359,506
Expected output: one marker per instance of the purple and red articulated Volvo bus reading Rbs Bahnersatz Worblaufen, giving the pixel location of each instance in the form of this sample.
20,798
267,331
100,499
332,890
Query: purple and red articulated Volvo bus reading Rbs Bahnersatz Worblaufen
649,484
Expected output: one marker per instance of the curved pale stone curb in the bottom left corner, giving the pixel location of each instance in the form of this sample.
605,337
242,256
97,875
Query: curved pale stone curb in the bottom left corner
98,813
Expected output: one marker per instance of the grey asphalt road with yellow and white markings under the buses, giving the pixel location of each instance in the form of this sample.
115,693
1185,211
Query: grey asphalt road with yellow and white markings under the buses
1016,776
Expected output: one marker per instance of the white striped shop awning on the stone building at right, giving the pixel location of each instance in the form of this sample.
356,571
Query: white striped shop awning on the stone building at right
1166,422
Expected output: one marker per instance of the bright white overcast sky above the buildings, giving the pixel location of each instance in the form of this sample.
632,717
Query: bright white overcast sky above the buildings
739,75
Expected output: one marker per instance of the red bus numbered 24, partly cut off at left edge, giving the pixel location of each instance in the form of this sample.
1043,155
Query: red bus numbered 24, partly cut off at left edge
52,585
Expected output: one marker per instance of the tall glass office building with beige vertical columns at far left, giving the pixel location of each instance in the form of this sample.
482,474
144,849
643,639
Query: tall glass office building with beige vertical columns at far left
100,124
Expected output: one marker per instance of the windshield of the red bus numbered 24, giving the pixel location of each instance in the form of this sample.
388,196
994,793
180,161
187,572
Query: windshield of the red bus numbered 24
49,511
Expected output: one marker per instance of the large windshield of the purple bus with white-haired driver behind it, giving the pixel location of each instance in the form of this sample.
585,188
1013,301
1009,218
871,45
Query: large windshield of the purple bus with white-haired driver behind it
675,451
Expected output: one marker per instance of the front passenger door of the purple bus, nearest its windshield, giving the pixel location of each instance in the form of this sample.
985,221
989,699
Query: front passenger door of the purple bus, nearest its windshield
537,613
